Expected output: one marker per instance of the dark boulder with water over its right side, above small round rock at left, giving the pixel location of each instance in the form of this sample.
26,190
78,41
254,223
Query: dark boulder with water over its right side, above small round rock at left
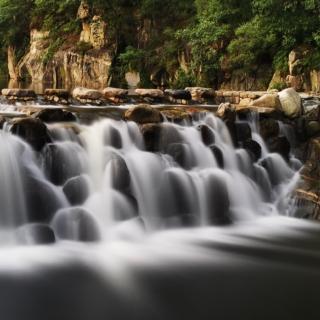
62,163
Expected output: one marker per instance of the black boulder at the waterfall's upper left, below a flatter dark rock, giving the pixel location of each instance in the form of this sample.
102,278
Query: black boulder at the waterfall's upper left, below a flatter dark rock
32,130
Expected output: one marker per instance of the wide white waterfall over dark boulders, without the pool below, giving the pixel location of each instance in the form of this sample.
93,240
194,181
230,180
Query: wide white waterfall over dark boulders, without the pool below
92,178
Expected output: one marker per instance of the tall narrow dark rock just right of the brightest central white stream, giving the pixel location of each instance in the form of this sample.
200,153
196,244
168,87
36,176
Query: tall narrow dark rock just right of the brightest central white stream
120,175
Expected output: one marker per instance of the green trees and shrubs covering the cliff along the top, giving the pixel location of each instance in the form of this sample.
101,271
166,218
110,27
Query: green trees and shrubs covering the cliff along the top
175,42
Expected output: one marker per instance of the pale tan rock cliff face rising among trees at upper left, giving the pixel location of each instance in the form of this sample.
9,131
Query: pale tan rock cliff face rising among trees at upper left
71,67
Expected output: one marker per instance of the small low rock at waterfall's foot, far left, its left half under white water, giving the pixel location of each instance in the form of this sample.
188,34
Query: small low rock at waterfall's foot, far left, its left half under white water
35,234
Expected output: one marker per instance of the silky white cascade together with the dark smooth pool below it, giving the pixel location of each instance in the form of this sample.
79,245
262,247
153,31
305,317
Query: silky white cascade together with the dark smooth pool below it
176,234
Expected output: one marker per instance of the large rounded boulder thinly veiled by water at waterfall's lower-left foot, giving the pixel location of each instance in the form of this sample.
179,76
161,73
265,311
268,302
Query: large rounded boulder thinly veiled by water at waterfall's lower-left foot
75,224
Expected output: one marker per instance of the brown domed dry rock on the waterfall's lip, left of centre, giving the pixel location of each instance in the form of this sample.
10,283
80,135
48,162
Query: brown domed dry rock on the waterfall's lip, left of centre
143,114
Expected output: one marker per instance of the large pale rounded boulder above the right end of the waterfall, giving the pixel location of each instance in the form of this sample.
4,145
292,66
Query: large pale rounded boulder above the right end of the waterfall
291,103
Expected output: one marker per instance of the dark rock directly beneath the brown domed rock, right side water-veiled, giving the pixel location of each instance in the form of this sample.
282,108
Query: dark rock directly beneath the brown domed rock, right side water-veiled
158,136
